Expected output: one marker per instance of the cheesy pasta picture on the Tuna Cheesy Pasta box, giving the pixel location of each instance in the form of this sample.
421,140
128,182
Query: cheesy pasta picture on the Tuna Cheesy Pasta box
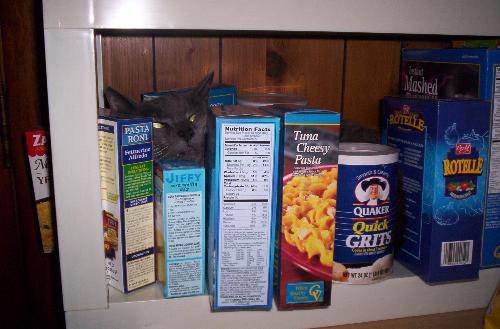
308,214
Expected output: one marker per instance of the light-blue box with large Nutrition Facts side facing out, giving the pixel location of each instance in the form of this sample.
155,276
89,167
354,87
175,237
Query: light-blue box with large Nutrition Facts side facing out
243,174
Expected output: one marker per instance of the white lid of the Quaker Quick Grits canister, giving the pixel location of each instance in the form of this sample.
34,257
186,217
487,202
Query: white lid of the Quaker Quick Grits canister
367,154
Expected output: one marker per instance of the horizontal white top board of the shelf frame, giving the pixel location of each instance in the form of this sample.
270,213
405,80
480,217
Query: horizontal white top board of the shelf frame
446,17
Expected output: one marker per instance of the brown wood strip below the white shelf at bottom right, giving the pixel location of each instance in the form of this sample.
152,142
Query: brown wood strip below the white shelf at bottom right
471,319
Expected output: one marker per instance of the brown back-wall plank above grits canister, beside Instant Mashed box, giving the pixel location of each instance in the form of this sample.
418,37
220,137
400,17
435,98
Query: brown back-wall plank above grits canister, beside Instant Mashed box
371,72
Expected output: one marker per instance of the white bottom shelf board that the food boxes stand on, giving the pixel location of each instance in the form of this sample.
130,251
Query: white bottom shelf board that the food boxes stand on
401,295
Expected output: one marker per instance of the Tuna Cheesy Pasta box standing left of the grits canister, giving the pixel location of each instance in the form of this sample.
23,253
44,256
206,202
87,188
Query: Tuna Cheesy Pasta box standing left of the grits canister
305,230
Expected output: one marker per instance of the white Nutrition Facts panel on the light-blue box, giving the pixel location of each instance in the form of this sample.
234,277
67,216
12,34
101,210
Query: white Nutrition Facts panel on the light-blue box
245,213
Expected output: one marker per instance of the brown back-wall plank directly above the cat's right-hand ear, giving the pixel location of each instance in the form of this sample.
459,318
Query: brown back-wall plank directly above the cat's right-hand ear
183,62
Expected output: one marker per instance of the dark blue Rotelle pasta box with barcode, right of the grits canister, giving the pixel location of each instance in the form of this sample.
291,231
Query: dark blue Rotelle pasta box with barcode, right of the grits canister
443,162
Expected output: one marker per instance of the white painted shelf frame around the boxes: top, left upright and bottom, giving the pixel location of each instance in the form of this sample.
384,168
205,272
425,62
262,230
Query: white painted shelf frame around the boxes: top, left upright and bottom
71,81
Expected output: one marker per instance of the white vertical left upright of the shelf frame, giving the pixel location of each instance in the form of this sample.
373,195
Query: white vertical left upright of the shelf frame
71,86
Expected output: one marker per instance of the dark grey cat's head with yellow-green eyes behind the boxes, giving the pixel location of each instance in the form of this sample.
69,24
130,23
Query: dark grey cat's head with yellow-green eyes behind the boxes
179,120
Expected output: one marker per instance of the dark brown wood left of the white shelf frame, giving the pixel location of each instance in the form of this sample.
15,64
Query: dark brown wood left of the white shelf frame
26,108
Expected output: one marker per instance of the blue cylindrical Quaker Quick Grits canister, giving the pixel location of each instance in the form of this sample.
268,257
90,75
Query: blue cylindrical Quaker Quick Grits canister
366,208
